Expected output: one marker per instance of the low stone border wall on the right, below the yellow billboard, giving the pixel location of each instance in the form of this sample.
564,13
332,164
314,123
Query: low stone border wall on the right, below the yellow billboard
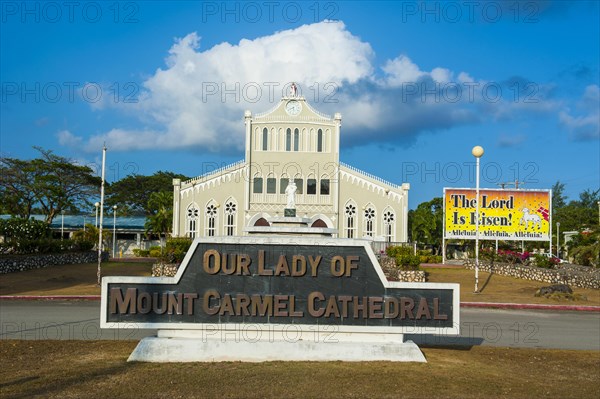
573,275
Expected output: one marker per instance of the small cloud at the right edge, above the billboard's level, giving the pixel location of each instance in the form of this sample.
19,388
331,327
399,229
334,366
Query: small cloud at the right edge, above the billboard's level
587,125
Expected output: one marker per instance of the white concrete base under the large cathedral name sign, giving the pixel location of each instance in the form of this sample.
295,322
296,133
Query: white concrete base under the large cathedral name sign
195,346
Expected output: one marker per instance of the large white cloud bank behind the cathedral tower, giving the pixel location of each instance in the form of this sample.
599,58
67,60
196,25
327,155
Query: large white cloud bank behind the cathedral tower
197,100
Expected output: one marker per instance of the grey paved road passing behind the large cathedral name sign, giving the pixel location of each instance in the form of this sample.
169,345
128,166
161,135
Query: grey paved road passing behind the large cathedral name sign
77,320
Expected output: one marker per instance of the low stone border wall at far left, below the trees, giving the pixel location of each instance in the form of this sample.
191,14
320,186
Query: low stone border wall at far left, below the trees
21,263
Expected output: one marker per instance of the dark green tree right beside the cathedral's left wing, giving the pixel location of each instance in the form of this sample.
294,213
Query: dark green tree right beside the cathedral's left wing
132,193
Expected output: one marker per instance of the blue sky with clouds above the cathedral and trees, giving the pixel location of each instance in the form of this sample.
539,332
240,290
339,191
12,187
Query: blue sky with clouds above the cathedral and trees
418,84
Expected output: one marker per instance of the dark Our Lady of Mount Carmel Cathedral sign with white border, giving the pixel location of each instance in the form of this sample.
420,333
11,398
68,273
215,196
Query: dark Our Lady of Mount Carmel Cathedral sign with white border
279,281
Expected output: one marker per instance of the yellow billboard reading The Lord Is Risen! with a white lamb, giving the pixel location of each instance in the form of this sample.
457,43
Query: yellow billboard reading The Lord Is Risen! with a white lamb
520,215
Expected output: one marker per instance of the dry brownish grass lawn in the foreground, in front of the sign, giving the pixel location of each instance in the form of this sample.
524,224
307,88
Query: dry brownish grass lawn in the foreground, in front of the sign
98,369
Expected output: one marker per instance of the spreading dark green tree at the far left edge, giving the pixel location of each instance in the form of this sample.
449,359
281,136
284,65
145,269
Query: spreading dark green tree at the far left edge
52,182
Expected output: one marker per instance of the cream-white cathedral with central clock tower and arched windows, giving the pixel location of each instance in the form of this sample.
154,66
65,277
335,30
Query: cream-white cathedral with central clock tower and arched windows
291,143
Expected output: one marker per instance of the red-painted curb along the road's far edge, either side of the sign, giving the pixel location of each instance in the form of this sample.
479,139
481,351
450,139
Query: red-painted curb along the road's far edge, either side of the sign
482,305
